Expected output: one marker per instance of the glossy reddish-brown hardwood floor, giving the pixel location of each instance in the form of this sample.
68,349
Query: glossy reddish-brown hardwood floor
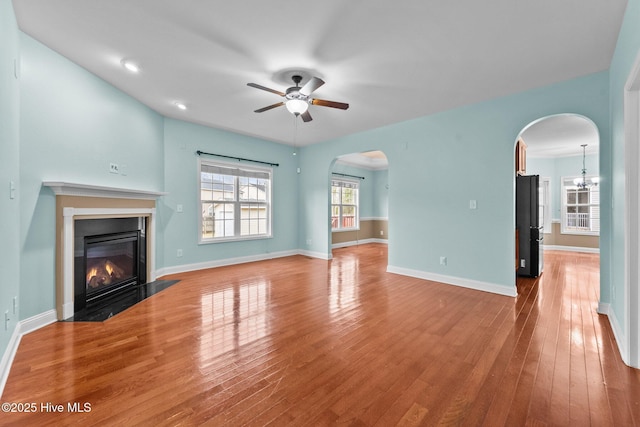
301,341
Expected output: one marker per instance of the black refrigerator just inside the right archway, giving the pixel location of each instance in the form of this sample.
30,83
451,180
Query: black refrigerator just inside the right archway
529,222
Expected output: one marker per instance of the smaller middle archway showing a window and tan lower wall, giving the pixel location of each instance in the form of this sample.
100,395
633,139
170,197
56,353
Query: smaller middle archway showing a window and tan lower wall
359,199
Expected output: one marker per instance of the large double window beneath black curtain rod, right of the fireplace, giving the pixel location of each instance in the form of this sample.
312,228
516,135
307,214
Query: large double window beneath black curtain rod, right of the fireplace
235,202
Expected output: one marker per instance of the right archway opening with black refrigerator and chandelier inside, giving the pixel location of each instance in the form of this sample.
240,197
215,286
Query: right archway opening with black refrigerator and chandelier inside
559,154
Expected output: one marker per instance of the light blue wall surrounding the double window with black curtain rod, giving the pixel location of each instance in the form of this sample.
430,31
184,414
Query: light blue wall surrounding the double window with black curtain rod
180,230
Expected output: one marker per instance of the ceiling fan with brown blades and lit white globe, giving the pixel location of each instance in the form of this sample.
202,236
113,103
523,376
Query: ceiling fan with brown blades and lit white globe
297,99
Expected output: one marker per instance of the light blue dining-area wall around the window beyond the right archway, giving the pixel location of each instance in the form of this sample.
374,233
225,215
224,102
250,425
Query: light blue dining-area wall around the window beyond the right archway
558,168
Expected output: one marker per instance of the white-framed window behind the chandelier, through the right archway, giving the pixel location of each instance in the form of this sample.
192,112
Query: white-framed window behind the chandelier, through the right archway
580,209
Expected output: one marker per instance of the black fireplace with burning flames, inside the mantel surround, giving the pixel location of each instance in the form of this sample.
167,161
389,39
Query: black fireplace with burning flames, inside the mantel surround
109,259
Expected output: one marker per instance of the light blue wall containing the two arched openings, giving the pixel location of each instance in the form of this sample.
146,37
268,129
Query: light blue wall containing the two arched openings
437,164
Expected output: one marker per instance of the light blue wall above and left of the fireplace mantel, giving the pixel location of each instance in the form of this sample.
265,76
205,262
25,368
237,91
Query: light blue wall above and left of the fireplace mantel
72,125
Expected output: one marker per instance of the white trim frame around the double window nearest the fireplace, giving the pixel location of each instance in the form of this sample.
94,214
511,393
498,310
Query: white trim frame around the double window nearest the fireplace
207,241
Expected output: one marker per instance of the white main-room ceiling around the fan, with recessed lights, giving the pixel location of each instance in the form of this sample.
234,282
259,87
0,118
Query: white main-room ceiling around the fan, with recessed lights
391,61
